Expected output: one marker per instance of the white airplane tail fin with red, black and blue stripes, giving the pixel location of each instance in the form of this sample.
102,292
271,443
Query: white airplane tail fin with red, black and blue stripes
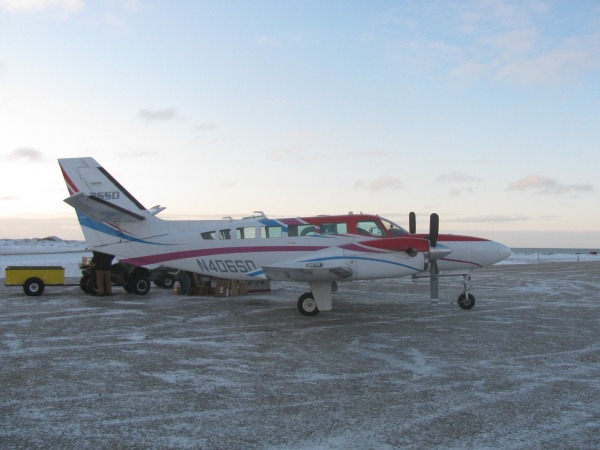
107,212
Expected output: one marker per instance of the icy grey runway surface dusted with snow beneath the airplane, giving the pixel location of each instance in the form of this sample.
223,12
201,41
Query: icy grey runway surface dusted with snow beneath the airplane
384,369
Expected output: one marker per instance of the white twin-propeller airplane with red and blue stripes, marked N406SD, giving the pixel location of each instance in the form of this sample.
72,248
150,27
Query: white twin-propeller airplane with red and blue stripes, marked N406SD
318,250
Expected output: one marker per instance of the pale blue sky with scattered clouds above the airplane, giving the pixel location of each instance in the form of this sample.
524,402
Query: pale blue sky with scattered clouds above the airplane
486,111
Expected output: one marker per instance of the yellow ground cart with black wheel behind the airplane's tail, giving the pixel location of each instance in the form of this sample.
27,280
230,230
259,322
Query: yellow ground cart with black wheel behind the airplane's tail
34,278
